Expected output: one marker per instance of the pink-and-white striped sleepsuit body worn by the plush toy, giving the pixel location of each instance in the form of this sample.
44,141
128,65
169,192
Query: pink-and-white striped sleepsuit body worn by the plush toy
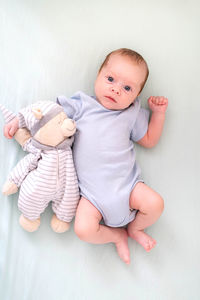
51,178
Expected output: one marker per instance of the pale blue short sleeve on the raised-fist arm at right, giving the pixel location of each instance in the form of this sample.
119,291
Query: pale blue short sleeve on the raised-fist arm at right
141,125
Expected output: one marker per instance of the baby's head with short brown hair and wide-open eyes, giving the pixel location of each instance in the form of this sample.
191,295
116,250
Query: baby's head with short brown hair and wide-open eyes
121,78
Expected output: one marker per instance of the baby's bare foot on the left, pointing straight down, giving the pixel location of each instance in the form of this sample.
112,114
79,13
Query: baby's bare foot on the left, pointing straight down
122,247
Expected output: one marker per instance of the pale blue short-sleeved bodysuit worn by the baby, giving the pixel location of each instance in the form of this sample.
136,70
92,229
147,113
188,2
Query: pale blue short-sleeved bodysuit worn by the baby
104,154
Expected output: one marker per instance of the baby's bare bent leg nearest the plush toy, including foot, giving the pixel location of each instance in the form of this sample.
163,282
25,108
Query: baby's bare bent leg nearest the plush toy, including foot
87,228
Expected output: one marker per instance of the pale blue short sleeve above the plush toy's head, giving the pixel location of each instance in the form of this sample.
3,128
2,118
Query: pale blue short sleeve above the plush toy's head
71,106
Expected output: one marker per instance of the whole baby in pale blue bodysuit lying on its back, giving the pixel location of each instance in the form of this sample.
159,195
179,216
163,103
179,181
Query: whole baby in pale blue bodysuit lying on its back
110,181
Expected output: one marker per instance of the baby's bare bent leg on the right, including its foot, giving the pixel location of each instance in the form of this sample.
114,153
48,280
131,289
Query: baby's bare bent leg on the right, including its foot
150,206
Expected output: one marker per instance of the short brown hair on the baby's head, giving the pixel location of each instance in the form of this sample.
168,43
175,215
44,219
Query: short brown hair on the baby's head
136,57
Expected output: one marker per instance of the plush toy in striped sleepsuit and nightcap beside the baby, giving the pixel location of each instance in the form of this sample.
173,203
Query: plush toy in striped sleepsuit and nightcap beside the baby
47,173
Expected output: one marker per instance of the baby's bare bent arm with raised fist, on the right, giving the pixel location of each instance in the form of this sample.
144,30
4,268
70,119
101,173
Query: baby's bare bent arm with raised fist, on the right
158,105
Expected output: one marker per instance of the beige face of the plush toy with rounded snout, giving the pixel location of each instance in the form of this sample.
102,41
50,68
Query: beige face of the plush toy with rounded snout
56,130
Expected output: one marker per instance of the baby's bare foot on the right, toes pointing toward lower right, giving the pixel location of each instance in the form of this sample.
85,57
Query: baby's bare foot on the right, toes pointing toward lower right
143,239
